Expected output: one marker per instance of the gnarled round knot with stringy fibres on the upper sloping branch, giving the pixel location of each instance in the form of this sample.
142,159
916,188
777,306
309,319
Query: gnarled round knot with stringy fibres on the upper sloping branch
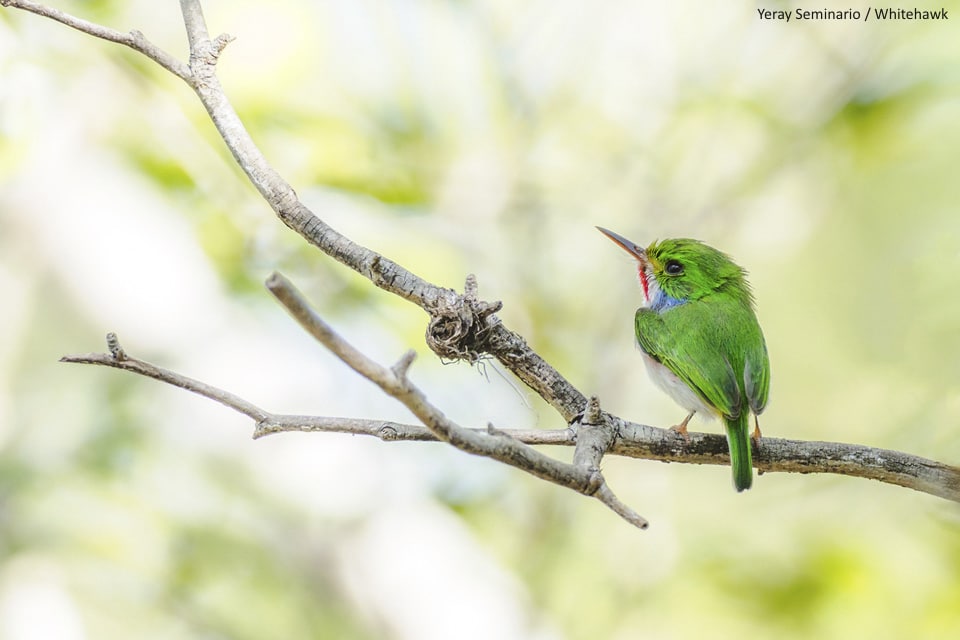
458,329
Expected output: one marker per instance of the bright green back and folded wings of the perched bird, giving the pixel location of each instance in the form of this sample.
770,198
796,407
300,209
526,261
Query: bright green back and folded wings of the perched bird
715,346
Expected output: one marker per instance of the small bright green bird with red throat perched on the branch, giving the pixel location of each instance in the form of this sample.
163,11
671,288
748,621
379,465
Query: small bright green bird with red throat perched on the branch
700,338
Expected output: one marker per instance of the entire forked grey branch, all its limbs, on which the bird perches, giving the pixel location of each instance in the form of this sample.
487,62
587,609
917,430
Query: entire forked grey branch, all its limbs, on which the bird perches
460,327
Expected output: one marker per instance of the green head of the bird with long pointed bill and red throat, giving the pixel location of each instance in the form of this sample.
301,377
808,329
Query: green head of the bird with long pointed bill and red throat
678,270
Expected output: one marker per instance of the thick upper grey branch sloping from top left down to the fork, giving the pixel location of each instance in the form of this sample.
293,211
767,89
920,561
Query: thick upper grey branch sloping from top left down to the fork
459,328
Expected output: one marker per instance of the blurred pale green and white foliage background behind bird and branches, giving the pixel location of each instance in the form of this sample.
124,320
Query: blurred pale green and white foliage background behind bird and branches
456,137
